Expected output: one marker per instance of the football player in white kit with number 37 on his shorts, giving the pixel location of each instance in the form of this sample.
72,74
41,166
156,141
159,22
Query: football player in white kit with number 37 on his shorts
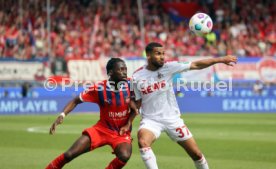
159,110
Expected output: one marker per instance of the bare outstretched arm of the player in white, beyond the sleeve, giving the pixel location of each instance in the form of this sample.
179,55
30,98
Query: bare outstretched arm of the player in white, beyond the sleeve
201,64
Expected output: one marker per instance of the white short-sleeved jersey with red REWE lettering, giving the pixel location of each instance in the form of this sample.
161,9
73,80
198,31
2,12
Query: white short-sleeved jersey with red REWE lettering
156,90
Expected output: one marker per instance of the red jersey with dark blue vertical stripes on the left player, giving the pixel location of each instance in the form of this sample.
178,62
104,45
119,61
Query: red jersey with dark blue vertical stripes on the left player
114,105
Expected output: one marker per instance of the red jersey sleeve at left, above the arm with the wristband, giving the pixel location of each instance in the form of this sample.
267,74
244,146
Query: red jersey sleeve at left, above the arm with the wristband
89,95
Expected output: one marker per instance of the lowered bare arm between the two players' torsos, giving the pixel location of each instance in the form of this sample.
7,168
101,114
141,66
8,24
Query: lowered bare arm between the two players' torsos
133,112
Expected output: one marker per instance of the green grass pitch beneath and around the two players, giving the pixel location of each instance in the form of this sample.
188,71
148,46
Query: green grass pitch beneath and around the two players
229,141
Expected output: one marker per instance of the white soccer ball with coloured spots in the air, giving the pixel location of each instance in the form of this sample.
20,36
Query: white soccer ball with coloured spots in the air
201,23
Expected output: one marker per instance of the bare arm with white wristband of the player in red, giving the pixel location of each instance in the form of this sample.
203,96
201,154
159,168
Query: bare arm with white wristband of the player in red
67,109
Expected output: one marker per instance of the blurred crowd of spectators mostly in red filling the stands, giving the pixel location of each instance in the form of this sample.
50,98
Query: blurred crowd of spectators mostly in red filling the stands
90,29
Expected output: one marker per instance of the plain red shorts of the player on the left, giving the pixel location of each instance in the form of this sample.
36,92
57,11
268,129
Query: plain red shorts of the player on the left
100,136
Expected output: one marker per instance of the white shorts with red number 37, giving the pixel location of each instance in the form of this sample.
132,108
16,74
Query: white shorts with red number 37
176,129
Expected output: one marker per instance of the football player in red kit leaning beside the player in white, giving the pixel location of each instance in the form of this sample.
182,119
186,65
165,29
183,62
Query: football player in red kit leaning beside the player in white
117,112
